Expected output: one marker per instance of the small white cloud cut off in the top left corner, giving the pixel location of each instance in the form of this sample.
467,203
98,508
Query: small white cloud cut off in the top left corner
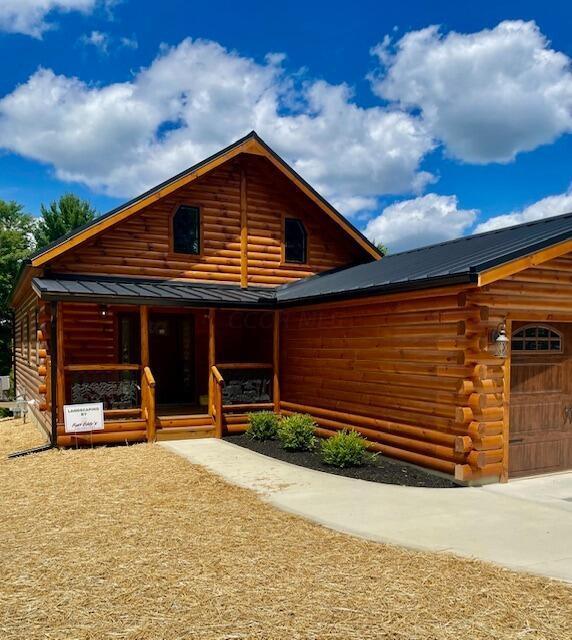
30,16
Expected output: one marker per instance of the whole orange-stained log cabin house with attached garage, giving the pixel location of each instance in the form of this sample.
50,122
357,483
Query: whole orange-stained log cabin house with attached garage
234,286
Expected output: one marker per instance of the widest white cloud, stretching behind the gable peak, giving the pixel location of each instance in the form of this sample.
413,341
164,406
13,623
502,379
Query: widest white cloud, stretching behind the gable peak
198,97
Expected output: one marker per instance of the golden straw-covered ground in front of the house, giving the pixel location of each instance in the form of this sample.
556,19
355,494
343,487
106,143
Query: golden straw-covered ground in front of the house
134,542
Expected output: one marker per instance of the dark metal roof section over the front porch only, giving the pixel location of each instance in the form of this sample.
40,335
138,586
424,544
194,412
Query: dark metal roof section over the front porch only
154,292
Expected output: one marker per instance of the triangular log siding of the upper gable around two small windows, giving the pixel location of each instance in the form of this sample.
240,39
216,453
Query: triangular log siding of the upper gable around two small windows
140,246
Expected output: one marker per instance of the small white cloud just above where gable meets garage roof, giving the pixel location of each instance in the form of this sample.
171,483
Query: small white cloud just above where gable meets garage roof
421,221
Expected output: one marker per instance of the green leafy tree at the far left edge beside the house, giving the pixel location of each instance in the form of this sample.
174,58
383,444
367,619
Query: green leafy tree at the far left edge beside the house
16,229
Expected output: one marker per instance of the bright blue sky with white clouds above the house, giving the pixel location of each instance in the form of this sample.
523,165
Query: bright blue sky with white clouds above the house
420,121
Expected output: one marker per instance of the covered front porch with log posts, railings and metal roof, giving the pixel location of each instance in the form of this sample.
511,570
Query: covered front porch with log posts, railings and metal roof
162,370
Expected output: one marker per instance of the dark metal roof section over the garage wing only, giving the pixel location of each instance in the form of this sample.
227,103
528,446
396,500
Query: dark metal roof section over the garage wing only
455,261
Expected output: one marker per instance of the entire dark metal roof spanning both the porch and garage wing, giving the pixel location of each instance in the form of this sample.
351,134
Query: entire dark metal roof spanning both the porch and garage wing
455,262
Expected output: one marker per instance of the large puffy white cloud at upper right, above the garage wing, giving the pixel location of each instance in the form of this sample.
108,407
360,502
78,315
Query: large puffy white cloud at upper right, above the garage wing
487,95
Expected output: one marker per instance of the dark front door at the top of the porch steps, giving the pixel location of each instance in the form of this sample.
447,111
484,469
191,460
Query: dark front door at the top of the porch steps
171,357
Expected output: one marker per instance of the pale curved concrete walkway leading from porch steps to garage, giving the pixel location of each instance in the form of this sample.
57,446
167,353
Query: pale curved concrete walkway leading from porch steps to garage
525,525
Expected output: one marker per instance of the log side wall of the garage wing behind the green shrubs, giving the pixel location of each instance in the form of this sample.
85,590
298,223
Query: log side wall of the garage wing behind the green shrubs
405,374
